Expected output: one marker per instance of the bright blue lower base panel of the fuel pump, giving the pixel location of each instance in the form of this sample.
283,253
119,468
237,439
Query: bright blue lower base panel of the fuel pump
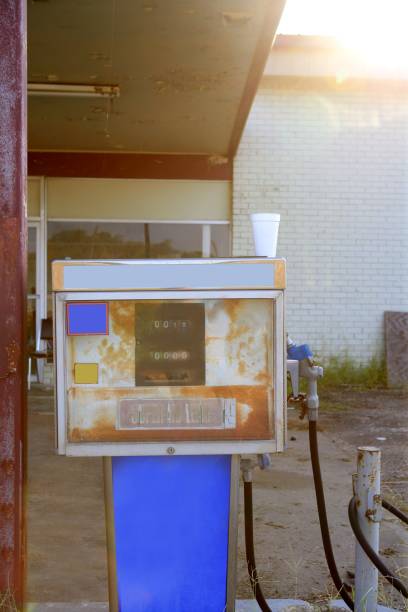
171,519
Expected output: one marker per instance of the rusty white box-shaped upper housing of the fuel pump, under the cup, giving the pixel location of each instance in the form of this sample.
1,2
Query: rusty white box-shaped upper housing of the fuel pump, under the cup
169,356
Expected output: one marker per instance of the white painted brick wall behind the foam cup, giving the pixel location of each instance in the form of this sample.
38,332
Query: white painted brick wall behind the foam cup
335,165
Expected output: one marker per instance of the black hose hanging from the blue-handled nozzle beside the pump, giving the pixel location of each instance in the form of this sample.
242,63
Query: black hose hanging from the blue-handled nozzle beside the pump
321,507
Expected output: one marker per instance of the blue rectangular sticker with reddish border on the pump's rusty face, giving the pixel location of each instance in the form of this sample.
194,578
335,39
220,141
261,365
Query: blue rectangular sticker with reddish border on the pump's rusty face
87,319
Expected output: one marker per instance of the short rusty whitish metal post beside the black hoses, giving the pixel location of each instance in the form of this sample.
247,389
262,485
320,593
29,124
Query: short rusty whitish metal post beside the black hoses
366,485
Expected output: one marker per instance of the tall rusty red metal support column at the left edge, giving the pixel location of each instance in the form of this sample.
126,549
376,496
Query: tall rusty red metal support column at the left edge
12,297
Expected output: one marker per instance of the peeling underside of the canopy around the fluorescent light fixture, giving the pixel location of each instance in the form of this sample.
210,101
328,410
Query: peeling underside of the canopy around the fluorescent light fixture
187,72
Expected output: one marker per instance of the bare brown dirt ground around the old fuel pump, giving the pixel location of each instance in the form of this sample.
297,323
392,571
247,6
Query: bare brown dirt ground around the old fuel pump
66,534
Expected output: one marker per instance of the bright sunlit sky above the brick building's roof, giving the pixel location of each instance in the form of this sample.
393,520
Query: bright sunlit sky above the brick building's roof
377,30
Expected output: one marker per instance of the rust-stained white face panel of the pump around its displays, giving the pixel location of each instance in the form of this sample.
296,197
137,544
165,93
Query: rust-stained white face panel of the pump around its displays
238,368
